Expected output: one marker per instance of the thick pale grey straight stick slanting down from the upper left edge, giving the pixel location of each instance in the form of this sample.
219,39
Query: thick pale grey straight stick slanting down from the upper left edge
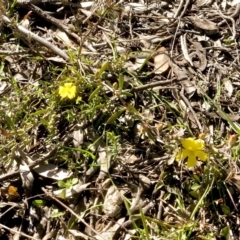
35,37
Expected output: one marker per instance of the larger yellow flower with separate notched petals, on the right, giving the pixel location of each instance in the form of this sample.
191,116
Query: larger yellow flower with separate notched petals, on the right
192,149
